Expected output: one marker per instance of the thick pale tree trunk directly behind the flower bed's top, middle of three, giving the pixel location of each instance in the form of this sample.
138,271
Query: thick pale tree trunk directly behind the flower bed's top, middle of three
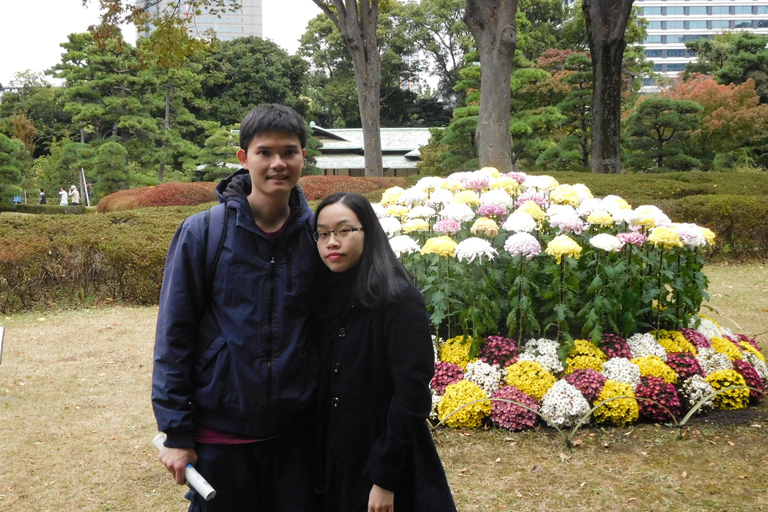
493,25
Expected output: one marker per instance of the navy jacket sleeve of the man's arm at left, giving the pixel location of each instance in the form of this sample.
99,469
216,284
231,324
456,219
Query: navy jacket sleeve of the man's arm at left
182,301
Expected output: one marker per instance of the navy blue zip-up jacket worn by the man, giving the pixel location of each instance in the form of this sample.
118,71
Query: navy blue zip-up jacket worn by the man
242,356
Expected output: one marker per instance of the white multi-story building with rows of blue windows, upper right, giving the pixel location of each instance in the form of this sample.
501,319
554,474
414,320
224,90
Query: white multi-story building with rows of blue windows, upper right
673,22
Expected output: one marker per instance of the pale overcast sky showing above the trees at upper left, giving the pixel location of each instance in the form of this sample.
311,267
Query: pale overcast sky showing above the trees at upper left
31,30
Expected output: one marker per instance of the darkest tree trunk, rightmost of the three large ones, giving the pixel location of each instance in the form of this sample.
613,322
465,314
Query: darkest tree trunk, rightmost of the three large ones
606,23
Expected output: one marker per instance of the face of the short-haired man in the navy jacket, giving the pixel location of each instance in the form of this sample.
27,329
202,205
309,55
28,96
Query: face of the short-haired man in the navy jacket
274,160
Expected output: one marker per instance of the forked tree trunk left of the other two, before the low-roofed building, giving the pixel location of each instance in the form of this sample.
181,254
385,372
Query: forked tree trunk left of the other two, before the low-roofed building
357,21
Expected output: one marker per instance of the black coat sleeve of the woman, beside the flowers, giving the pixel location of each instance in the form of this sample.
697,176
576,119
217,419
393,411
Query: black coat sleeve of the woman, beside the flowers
411,365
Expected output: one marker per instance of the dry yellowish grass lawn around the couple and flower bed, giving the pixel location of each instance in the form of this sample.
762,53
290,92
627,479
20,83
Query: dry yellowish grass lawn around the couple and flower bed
76,426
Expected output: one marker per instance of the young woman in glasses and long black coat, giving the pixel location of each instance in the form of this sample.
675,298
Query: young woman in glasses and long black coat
380,456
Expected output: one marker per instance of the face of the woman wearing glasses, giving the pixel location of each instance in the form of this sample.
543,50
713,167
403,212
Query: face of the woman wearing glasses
339,253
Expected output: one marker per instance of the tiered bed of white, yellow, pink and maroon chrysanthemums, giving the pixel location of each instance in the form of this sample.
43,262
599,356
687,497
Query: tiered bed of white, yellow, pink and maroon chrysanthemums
554,301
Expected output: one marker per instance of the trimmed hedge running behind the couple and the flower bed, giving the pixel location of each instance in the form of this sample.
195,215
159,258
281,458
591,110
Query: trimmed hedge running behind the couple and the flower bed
72,260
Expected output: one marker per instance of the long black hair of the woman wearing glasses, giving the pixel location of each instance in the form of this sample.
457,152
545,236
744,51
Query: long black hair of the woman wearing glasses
378,268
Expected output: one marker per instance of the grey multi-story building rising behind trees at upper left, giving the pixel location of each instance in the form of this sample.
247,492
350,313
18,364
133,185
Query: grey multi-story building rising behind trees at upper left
243,22
